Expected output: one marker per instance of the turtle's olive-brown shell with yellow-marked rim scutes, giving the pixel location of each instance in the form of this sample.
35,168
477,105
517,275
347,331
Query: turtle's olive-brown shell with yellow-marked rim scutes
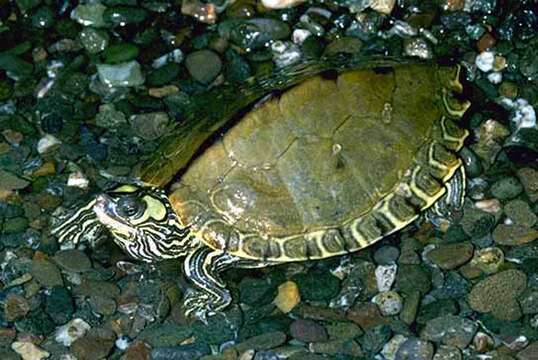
330,166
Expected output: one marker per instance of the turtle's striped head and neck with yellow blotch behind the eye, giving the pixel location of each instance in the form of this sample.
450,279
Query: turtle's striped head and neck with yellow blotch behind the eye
143,223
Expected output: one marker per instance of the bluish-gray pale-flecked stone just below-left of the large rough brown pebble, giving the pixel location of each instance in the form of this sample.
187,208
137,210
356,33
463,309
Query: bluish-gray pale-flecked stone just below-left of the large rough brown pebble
450,330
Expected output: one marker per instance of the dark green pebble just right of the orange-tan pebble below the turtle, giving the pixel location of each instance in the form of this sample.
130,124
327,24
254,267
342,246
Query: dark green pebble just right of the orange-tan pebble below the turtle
310,289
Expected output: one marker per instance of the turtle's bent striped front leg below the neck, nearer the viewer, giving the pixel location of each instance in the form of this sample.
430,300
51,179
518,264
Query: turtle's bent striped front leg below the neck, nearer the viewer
202,268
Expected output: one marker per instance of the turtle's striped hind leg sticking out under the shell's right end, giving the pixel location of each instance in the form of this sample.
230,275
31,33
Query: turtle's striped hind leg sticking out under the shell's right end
448,208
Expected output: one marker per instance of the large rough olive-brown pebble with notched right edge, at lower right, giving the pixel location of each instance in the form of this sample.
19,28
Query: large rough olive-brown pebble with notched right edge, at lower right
497,295
